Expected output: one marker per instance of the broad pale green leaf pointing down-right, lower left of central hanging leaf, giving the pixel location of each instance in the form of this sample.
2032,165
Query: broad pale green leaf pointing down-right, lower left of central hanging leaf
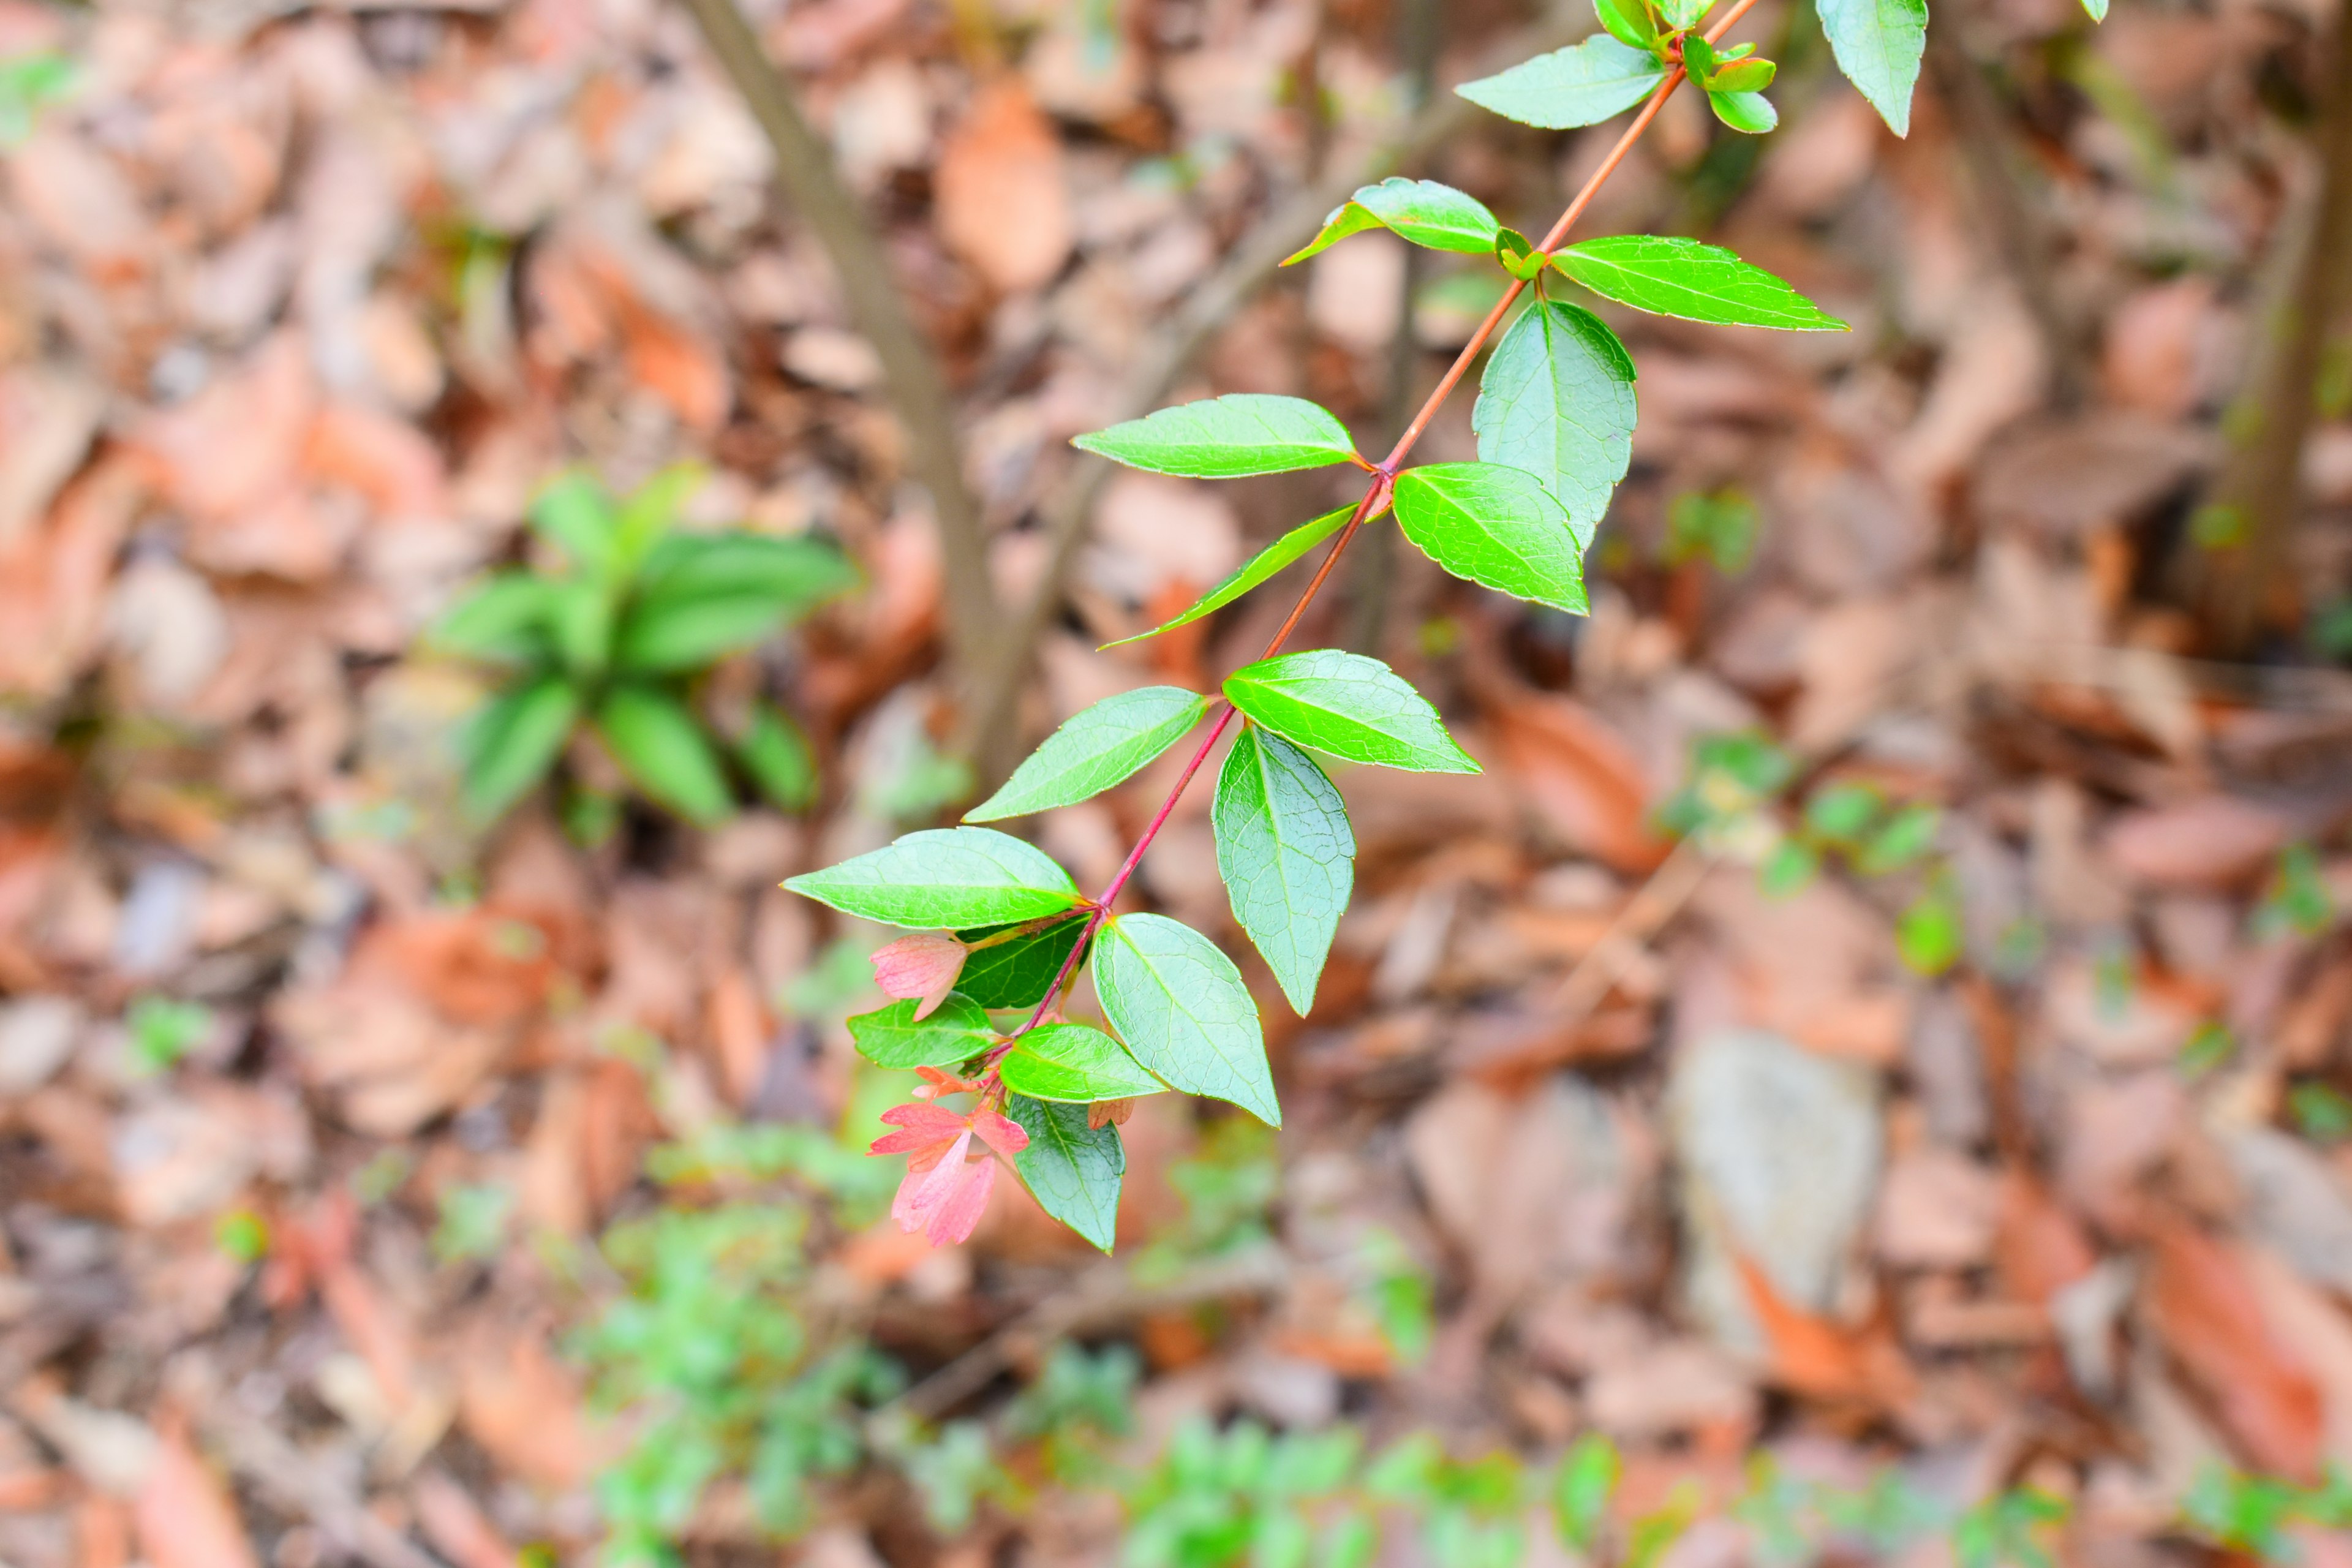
1184,1012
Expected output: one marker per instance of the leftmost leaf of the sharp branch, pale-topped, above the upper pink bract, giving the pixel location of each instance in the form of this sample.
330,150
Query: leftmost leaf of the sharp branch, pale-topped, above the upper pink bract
944,878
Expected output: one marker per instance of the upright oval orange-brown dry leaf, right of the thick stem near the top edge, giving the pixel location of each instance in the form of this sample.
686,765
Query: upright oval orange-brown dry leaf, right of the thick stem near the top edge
1001,189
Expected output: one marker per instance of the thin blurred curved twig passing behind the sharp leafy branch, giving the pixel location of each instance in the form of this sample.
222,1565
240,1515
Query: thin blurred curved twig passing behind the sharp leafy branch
991,732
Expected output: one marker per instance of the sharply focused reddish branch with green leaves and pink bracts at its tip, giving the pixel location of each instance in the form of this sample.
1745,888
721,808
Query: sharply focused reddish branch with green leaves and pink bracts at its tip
1003,932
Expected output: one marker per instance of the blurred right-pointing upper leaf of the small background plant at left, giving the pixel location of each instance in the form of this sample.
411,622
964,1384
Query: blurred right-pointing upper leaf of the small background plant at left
709,596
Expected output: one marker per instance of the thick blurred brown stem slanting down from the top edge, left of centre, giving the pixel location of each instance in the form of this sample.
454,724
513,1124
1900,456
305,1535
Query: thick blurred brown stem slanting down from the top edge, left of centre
916,382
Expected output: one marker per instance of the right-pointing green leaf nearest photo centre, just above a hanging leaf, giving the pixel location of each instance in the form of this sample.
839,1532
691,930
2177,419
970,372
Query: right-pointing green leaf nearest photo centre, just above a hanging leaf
1349,706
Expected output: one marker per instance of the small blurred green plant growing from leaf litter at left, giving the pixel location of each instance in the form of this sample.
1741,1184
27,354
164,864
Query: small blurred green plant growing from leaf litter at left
613,636
